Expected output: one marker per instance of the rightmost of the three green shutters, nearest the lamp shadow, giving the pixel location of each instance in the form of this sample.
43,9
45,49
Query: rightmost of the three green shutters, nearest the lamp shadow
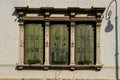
84,44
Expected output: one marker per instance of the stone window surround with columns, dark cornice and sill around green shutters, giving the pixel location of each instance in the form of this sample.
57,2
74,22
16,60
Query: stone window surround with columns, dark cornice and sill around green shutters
70,14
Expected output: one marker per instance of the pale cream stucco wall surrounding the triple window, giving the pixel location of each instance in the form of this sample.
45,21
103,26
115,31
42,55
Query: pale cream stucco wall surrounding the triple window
9,41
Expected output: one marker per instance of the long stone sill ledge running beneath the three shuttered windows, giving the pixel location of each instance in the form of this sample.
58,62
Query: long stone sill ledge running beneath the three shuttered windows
58,67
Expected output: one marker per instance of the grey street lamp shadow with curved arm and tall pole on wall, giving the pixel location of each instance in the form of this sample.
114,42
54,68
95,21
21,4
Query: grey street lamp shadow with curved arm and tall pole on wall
109,28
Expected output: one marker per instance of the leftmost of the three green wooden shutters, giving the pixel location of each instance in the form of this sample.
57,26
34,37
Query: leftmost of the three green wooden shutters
33,43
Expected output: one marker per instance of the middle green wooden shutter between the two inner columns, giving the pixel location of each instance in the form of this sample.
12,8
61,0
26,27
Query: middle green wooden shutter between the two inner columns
59,44
